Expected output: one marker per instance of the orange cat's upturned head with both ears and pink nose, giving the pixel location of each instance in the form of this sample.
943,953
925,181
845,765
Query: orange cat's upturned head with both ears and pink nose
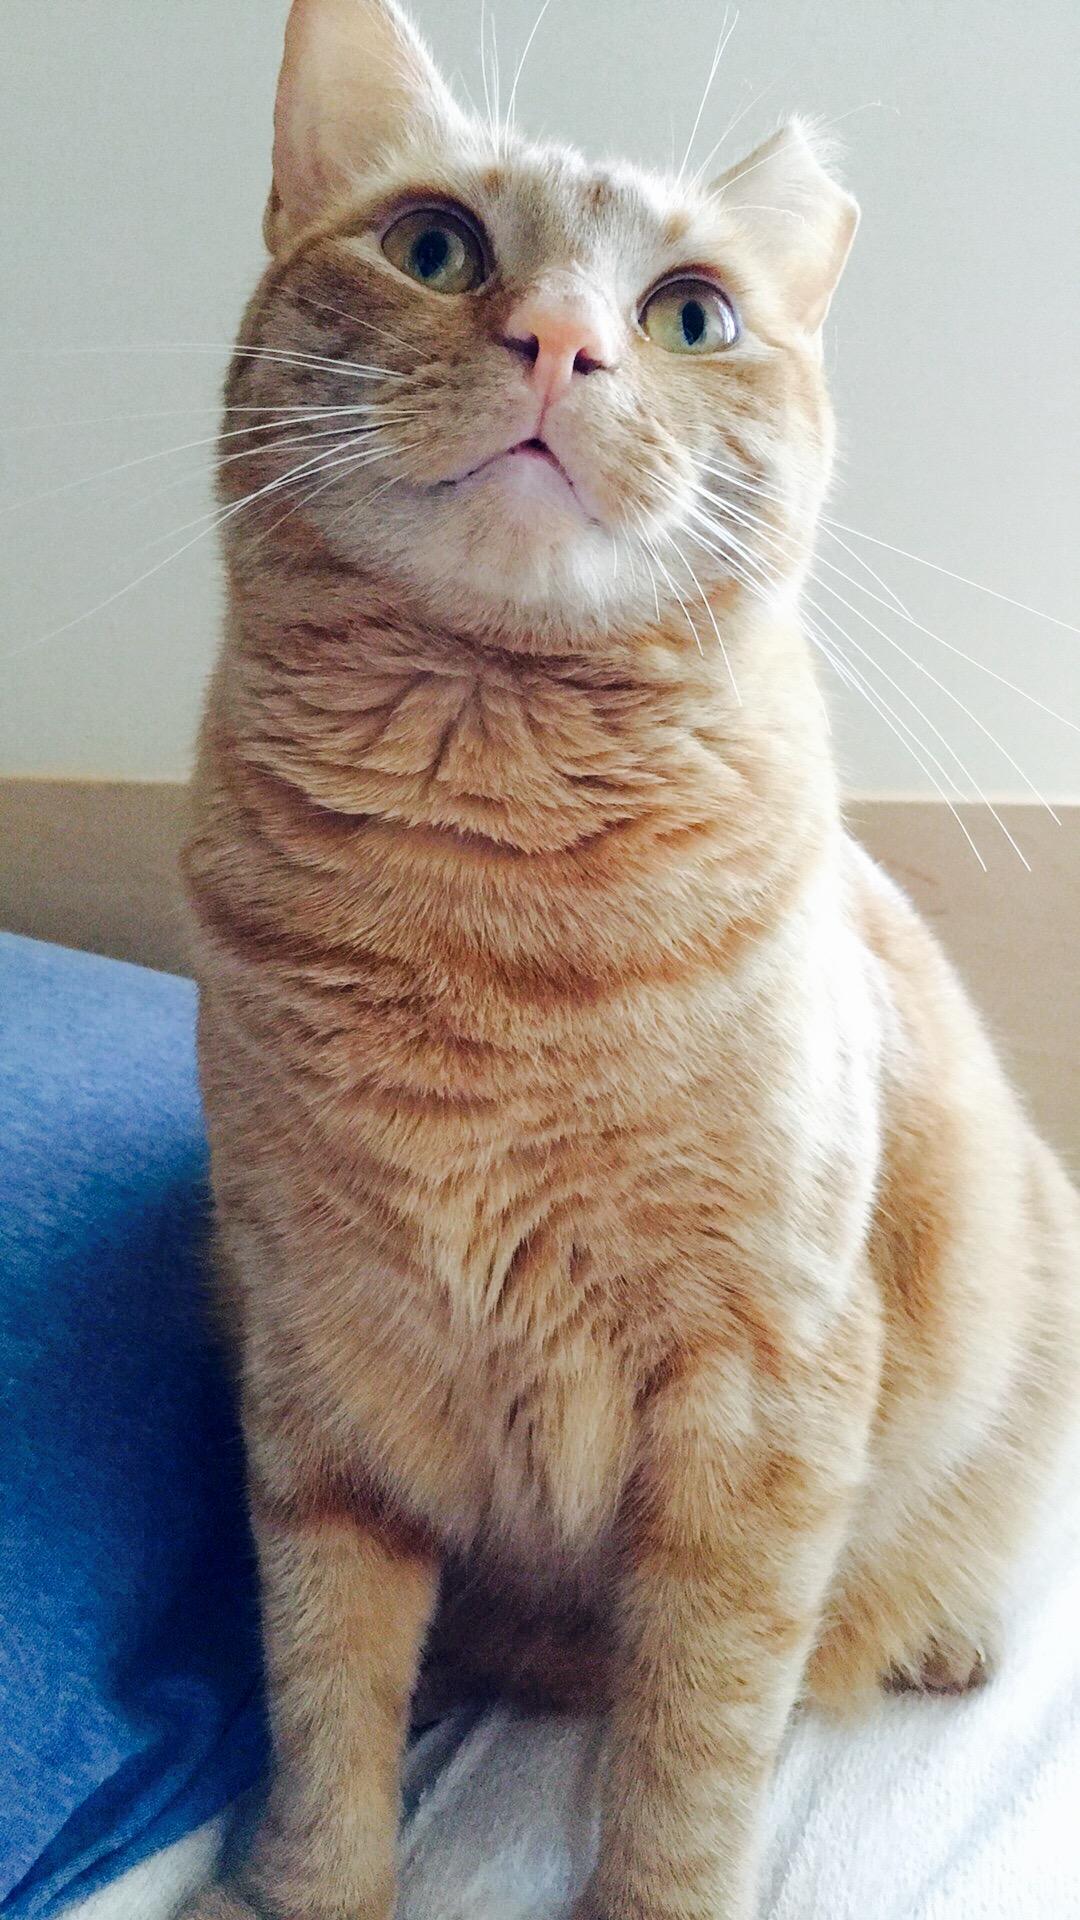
537,391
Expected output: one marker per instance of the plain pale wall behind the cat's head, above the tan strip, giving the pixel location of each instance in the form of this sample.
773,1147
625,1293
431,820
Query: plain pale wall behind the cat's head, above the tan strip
134,153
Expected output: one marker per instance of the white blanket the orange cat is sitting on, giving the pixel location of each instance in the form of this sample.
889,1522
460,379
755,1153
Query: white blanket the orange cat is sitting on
933,1810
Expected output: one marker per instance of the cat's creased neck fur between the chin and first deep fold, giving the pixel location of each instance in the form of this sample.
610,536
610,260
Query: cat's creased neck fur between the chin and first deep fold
366,709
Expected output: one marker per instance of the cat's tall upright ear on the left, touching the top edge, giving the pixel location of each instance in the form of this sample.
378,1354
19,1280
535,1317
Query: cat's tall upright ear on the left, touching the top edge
356,84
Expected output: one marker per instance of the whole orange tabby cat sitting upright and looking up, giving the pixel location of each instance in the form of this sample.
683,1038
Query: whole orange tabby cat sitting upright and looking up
622,1209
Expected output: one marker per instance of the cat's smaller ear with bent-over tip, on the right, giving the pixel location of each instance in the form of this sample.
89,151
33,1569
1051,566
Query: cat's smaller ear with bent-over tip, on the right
798,214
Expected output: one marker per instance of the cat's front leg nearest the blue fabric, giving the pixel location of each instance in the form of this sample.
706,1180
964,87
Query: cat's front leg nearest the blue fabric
349,1593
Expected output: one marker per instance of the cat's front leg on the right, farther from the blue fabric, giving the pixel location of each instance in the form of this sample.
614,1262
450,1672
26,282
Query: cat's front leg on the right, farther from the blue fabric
731,1533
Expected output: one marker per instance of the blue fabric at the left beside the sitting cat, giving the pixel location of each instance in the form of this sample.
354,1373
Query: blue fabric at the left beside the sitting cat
130,1677
